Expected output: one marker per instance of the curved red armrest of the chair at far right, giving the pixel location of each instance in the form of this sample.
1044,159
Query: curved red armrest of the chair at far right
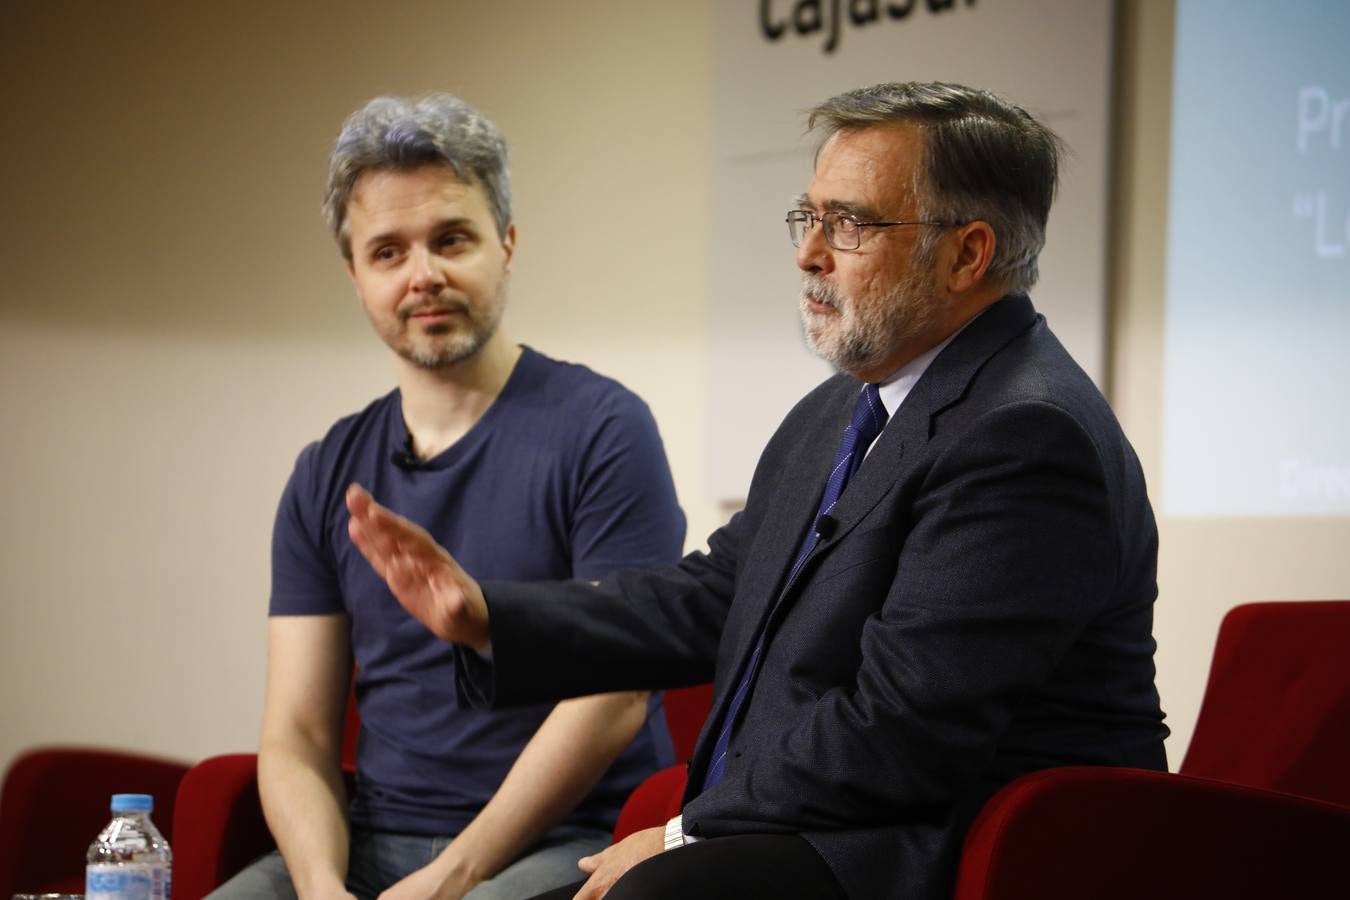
1118,835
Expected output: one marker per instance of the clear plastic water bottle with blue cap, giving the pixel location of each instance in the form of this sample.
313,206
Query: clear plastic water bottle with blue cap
130,860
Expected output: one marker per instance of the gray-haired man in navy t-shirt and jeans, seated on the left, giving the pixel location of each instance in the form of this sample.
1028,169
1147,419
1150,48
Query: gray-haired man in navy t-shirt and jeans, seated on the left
526,469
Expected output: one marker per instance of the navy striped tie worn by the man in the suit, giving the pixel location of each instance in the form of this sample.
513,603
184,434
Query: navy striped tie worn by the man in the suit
869,419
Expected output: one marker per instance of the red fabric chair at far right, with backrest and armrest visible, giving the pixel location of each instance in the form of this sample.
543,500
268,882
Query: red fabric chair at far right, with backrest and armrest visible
1262,808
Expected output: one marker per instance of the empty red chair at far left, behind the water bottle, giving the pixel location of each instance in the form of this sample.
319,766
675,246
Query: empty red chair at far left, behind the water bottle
55,804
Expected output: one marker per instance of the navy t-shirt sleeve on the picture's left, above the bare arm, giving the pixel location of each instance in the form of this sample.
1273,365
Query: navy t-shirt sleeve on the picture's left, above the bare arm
304,574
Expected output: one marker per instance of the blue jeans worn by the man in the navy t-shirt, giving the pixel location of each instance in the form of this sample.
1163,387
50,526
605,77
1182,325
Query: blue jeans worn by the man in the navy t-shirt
379,860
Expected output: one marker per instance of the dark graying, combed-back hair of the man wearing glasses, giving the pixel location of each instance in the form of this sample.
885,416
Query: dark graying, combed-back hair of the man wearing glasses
985,160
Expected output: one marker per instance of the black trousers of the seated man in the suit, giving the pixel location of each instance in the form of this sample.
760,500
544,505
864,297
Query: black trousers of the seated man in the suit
751,866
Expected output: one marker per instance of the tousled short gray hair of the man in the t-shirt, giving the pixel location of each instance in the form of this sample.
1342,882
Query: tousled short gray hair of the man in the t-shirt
398,133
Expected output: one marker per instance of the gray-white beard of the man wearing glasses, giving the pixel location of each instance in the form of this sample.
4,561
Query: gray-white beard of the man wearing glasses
861,337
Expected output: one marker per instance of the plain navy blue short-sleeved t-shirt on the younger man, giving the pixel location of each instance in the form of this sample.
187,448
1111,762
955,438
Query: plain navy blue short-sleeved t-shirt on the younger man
565,477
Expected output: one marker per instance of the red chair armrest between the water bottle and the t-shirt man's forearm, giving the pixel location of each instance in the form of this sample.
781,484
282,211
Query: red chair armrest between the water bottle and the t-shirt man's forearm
221,828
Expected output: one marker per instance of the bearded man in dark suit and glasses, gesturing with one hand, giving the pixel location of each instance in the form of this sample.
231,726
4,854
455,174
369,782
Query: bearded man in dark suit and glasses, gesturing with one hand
897,625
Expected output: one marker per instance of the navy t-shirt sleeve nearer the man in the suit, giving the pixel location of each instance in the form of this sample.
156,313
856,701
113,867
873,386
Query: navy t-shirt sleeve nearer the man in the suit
627,513
